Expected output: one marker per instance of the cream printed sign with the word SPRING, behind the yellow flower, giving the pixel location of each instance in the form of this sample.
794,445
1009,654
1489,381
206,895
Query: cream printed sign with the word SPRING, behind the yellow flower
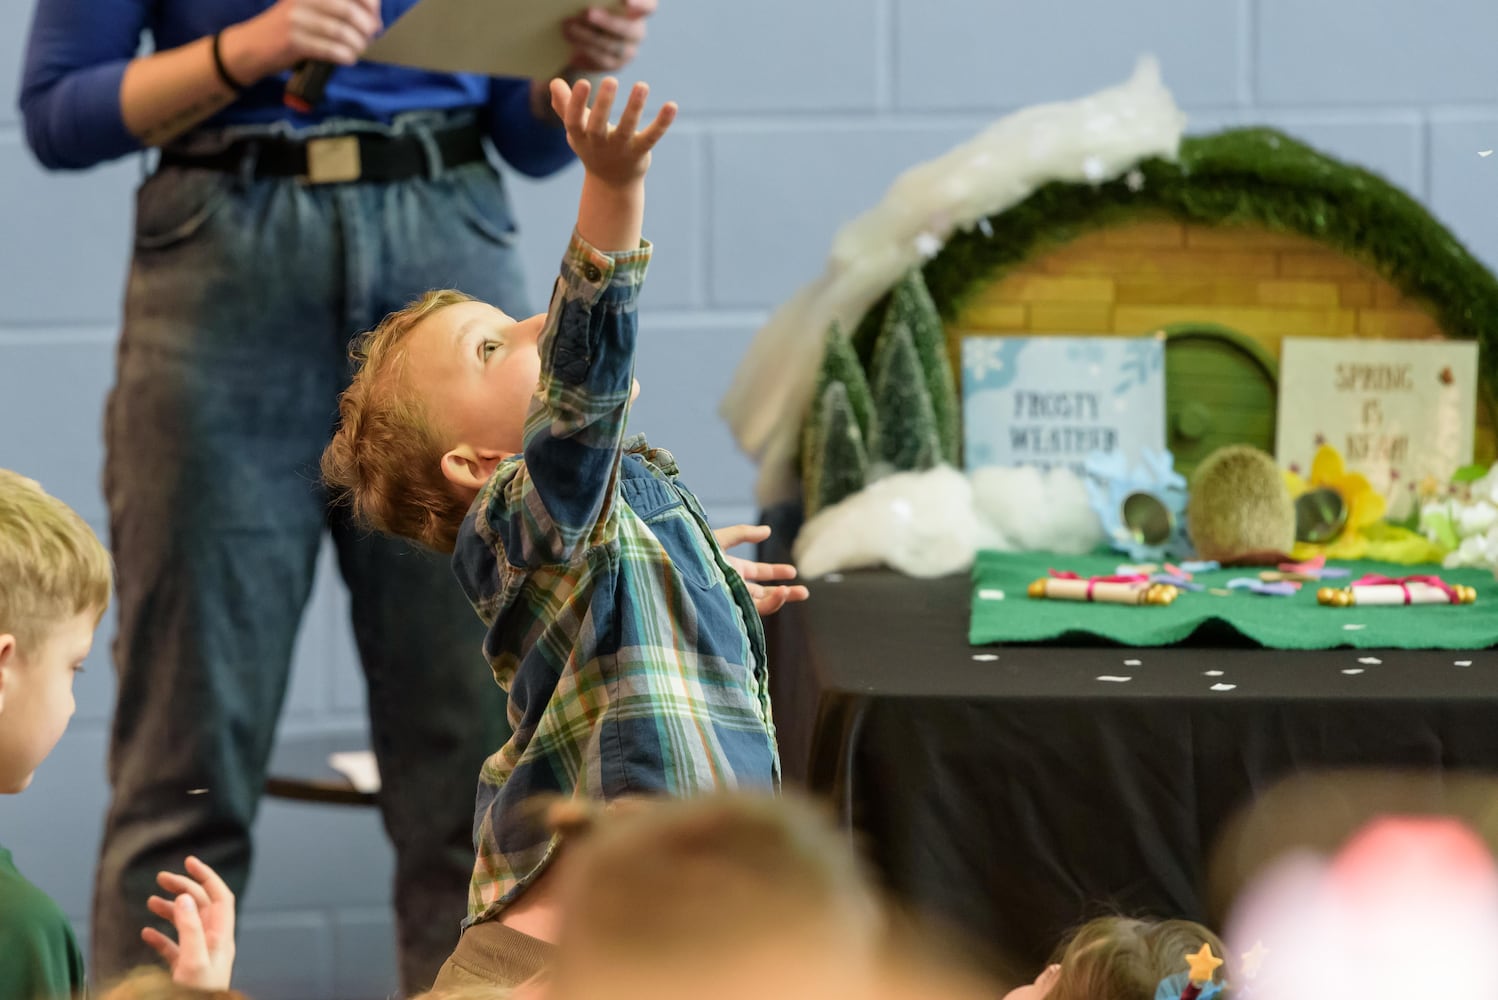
1401,412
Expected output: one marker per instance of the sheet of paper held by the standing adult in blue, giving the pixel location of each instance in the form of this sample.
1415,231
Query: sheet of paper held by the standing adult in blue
497,38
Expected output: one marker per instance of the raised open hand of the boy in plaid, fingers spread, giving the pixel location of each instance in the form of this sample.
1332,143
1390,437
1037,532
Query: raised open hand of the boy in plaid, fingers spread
616,155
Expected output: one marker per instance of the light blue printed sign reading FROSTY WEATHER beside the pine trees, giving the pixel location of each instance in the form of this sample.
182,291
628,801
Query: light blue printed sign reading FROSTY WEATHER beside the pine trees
1055,400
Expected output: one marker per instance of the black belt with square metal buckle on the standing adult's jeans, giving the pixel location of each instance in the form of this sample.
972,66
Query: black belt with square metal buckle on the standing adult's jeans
339,159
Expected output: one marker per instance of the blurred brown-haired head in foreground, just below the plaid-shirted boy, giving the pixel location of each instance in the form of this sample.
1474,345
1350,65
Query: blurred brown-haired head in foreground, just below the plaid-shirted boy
726,897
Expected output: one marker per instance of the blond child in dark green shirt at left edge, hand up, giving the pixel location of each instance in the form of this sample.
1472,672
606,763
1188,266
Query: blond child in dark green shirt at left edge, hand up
55,588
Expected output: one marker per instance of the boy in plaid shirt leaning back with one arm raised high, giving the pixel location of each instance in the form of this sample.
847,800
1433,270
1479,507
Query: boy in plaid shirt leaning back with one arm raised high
630,644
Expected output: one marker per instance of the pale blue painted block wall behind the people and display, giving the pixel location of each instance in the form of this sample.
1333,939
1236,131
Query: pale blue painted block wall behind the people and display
796,116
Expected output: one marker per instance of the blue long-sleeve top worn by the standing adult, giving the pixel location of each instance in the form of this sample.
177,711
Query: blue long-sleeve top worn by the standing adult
79,50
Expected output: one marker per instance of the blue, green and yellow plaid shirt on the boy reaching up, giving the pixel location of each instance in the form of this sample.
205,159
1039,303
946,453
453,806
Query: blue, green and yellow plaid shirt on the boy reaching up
631,650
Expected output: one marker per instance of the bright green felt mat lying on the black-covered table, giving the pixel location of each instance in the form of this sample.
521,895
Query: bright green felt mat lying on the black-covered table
1279,624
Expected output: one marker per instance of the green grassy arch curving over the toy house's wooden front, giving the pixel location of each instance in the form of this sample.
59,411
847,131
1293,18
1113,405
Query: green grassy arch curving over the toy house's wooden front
1243,177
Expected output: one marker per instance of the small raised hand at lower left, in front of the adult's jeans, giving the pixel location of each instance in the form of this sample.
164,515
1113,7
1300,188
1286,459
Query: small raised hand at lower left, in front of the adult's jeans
203,914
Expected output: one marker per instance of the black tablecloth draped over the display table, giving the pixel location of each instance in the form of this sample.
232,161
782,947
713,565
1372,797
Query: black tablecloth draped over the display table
1019,796
